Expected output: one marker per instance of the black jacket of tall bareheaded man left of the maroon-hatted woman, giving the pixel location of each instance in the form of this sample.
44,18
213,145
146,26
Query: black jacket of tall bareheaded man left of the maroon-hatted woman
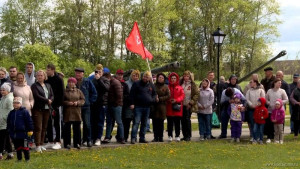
57,85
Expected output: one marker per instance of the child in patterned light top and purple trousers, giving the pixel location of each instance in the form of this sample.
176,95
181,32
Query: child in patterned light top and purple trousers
236,113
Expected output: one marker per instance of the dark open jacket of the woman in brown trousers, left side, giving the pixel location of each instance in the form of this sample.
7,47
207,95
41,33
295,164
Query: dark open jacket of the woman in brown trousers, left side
39,97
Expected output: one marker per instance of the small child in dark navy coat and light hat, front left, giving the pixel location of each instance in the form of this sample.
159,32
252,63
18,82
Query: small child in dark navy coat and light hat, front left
20,126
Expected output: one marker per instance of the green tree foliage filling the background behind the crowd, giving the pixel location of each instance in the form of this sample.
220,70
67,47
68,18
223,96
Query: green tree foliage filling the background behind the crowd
94,31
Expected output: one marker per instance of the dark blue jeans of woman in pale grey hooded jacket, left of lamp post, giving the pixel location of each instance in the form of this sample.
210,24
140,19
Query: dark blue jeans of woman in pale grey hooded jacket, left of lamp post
204,123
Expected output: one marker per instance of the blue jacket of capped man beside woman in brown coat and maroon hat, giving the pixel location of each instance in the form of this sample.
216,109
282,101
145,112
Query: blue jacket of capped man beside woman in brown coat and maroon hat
89,91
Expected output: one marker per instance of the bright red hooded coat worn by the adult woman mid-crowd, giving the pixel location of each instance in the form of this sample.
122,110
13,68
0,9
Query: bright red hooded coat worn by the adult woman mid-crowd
177,93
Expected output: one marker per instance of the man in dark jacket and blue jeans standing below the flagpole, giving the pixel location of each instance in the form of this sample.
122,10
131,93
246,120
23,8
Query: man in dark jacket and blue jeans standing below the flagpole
142,96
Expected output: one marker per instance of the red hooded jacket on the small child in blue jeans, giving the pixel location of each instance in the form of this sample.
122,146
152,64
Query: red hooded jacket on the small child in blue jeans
261,112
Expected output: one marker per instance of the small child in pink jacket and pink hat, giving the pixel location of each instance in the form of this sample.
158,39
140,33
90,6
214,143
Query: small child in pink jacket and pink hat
277,117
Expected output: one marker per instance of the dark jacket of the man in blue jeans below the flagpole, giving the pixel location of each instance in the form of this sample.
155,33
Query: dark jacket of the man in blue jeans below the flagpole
142,94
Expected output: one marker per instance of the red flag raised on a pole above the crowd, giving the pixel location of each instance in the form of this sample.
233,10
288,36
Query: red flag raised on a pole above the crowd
134,42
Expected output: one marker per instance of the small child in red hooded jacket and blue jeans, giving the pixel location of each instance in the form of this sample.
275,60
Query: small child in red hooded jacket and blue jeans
260,115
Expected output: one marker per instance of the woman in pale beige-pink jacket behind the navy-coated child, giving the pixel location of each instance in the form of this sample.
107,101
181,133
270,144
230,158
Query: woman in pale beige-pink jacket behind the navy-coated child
21,89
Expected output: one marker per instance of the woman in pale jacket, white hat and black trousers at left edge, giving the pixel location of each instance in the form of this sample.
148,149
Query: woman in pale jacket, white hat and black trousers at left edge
6,105
